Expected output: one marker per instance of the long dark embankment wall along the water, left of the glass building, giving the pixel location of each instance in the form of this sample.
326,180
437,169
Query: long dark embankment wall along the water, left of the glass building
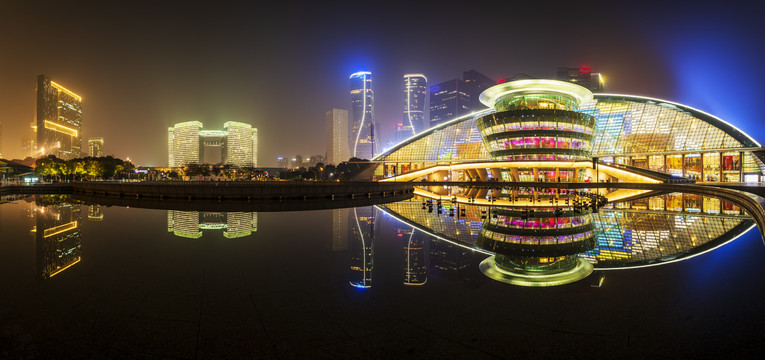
243,190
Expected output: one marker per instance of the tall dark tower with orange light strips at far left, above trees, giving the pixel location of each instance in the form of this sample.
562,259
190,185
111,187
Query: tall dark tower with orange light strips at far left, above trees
59,120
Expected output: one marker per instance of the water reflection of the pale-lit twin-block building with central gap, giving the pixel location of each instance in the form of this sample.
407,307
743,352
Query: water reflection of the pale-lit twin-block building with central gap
189,224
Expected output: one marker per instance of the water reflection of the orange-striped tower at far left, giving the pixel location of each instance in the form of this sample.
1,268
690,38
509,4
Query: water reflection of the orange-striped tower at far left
58,242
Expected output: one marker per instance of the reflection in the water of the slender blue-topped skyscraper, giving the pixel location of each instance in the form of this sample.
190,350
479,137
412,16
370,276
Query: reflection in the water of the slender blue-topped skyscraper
362,246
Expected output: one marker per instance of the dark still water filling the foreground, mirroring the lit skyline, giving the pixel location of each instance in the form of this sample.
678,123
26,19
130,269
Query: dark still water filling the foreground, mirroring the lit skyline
80,281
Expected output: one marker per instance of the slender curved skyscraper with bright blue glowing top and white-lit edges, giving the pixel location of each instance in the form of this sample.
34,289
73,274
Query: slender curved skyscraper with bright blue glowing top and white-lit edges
362,134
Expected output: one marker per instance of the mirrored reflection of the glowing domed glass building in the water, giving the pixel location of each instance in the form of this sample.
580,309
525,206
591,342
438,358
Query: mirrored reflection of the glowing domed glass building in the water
546,246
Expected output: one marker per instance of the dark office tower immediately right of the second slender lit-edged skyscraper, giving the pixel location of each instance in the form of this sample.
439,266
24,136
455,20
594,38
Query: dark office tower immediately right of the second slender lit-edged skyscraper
448,100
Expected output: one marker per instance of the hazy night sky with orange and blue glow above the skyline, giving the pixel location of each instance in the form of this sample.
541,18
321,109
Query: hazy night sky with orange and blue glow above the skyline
142,67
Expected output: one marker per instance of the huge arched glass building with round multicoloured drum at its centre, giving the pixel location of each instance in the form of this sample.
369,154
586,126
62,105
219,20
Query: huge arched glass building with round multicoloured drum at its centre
549,130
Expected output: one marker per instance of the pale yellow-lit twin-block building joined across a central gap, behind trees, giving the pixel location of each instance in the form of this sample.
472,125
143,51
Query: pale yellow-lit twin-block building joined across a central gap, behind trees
237,144
